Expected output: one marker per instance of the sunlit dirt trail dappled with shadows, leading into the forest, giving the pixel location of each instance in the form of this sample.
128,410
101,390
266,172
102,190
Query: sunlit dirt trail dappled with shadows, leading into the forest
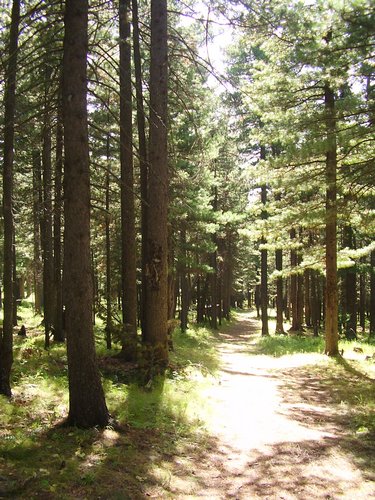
276,433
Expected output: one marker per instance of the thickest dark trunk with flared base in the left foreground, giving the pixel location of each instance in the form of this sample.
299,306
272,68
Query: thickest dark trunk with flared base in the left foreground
87,405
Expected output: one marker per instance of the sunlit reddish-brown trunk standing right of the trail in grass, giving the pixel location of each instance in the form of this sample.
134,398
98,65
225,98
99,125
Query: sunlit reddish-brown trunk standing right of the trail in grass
331,301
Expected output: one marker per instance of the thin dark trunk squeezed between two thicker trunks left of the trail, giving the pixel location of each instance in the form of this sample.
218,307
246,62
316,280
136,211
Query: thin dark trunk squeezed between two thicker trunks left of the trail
142,149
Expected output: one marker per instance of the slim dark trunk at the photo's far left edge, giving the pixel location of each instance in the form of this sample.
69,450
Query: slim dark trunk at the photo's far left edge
6,336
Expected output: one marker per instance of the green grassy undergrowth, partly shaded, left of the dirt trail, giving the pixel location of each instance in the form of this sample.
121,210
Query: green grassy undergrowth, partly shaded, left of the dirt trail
39,458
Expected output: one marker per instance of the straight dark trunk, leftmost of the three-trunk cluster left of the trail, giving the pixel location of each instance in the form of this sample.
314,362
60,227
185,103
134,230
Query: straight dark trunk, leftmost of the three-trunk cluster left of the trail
128,262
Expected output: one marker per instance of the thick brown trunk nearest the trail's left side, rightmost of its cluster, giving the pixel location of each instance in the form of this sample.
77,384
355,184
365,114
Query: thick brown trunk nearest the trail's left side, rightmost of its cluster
155,333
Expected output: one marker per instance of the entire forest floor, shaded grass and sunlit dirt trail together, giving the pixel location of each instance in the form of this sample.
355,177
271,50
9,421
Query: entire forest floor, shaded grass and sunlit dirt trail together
245,418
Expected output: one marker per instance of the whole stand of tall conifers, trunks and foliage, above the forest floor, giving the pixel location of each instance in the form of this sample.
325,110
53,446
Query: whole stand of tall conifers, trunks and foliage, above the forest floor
135,193
